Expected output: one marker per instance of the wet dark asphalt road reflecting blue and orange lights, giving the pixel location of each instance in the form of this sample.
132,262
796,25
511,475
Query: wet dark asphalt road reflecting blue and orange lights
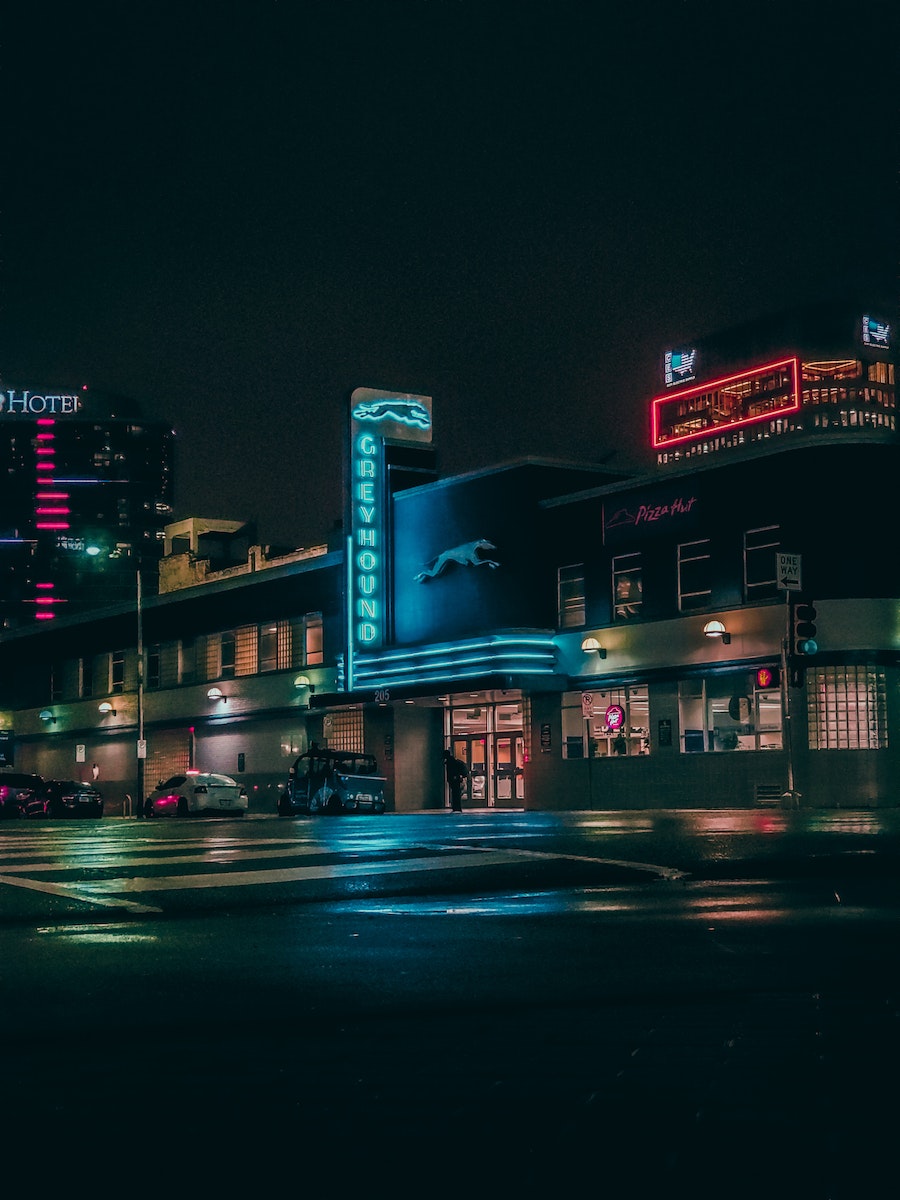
722,1021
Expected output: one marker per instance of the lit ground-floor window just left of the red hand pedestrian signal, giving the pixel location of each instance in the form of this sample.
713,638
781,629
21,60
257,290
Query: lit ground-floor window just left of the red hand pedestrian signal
729,712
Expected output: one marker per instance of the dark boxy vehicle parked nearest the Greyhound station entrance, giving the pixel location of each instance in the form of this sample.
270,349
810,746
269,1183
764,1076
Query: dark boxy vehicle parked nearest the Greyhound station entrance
333,782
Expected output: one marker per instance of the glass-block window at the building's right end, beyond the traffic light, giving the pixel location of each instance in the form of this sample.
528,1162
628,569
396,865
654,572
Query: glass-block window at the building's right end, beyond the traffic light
847,709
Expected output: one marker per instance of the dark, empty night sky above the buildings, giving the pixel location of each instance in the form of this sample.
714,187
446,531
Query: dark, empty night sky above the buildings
237,213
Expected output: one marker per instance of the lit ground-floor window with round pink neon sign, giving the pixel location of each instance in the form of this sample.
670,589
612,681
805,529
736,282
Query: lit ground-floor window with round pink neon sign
619,727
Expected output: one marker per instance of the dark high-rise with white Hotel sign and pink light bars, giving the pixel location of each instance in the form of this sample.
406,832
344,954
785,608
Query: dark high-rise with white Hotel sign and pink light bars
86,493
